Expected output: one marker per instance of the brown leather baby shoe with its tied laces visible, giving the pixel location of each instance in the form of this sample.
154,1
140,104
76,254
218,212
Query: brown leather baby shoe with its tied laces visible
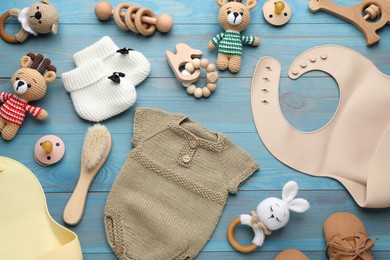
346,238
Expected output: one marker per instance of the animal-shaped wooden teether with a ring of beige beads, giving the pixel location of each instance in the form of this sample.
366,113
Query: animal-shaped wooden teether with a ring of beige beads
190,59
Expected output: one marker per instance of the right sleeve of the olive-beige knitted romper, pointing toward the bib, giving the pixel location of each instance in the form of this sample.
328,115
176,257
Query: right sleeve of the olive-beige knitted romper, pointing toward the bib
237,166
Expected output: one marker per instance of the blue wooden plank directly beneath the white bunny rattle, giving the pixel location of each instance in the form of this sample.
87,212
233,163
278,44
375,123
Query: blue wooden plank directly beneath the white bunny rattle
304,230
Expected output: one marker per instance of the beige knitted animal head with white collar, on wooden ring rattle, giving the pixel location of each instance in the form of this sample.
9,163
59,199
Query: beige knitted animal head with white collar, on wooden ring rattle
41,17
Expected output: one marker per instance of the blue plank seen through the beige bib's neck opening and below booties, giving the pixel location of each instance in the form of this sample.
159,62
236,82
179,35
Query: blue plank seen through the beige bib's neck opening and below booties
308,104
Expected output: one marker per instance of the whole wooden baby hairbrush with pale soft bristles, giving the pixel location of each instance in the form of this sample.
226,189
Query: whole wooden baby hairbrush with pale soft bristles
96,148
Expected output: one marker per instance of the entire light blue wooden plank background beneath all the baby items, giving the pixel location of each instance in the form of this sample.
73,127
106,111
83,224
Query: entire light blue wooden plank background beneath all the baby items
307,103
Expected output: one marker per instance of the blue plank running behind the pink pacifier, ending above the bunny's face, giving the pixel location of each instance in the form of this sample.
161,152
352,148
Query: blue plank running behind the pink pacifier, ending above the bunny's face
62,177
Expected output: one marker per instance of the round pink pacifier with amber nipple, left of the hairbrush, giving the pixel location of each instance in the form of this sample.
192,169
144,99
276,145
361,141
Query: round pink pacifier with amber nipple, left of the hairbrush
49,150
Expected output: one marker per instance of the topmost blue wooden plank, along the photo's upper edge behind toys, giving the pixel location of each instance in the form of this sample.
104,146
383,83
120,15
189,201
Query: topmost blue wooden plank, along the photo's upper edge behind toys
183,12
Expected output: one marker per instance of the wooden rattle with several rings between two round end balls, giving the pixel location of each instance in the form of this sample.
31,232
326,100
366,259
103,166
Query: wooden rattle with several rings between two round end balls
136,19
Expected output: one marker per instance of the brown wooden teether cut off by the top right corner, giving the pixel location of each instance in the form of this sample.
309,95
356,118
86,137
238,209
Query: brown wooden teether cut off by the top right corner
378,11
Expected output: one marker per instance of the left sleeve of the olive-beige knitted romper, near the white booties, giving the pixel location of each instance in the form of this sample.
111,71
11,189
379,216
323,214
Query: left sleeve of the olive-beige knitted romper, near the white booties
148,121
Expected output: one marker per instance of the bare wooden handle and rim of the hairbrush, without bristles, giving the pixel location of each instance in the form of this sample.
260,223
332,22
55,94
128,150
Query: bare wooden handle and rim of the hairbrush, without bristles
74,210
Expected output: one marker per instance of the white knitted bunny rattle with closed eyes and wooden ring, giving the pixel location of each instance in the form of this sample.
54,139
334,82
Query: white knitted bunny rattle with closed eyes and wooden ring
271,214
